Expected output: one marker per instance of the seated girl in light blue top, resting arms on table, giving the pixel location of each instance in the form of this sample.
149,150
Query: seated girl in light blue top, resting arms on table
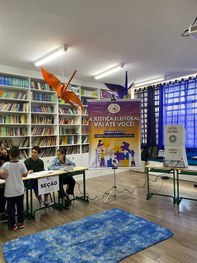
59,162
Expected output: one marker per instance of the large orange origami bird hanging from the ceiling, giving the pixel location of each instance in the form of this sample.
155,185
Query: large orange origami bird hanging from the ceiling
61,89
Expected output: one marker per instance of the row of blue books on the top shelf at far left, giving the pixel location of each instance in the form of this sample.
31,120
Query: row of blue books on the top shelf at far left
12,81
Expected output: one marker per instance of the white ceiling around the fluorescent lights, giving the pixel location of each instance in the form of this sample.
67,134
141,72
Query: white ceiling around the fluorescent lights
145,35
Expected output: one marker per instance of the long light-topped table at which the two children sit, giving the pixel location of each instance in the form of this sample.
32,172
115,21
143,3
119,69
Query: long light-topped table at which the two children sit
29,212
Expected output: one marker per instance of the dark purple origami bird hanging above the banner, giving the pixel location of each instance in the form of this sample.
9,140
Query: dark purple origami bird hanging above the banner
121,90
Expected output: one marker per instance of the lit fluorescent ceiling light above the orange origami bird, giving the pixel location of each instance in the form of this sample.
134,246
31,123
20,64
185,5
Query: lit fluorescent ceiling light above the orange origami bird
51,55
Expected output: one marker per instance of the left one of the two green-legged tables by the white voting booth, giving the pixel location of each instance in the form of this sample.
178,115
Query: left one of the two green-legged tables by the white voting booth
160,169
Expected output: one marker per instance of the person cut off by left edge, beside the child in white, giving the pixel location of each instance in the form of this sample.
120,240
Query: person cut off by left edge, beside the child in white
4,157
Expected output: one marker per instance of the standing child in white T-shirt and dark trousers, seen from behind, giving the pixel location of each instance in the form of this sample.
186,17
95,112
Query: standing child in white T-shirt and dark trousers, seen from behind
14,188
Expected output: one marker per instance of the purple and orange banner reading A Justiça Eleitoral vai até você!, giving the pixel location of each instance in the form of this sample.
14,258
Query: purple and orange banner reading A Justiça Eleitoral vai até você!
114,133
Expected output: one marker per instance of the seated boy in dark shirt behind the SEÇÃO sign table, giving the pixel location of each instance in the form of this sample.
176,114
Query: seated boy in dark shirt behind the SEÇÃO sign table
35,164
